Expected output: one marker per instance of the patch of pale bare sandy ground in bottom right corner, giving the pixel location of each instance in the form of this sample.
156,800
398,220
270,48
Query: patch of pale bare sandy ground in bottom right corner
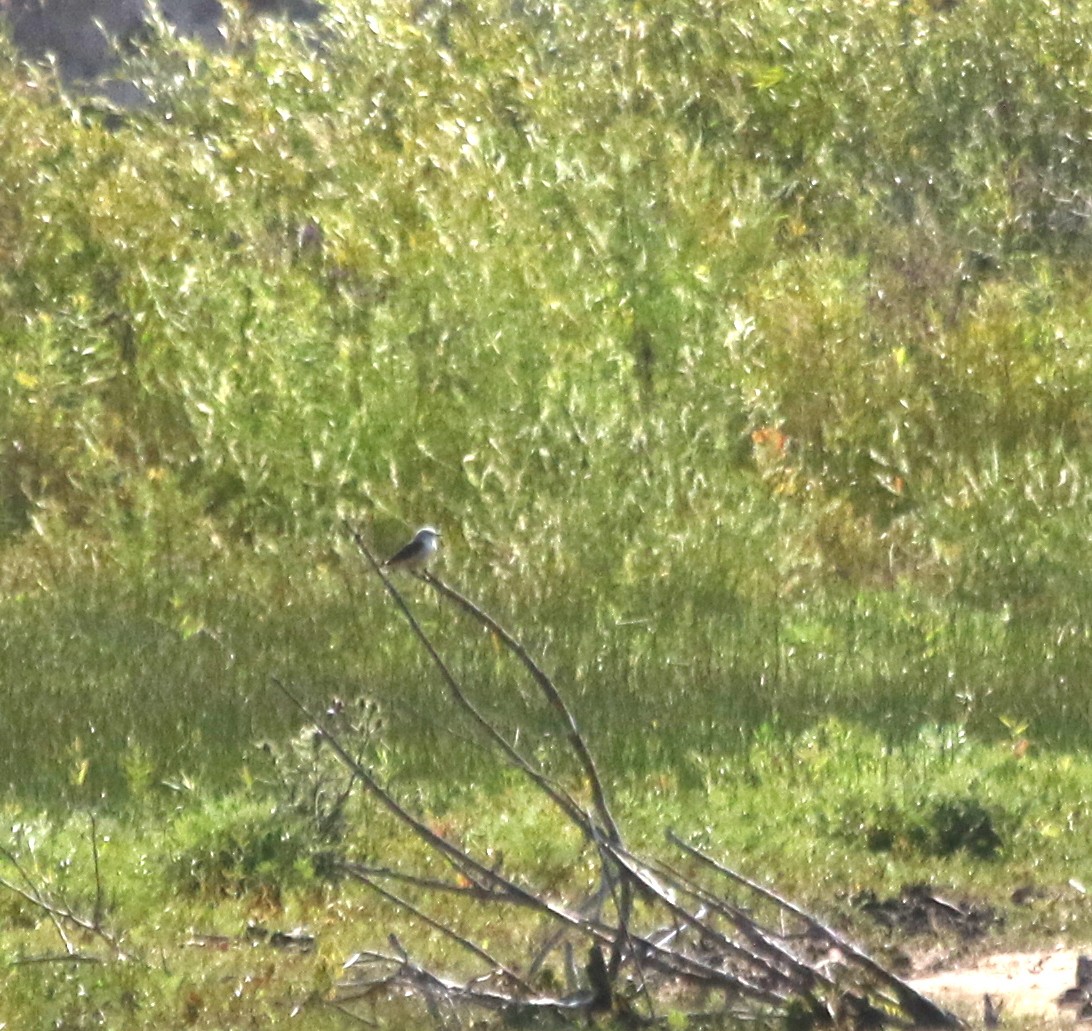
1027,986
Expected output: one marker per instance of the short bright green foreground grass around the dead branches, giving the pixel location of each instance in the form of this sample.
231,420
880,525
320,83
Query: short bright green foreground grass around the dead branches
834,819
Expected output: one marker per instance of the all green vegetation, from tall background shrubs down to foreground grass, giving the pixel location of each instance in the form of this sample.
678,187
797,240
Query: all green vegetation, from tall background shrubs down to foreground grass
741,355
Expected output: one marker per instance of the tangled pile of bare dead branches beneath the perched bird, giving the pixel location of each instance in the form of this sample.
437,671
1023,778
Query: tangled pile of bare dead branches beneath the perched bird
692,935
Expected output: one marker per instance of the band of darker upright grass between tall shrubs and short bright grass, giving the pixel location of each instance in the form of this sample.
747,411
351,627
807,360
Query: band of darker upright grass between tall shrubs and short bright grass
184,680
